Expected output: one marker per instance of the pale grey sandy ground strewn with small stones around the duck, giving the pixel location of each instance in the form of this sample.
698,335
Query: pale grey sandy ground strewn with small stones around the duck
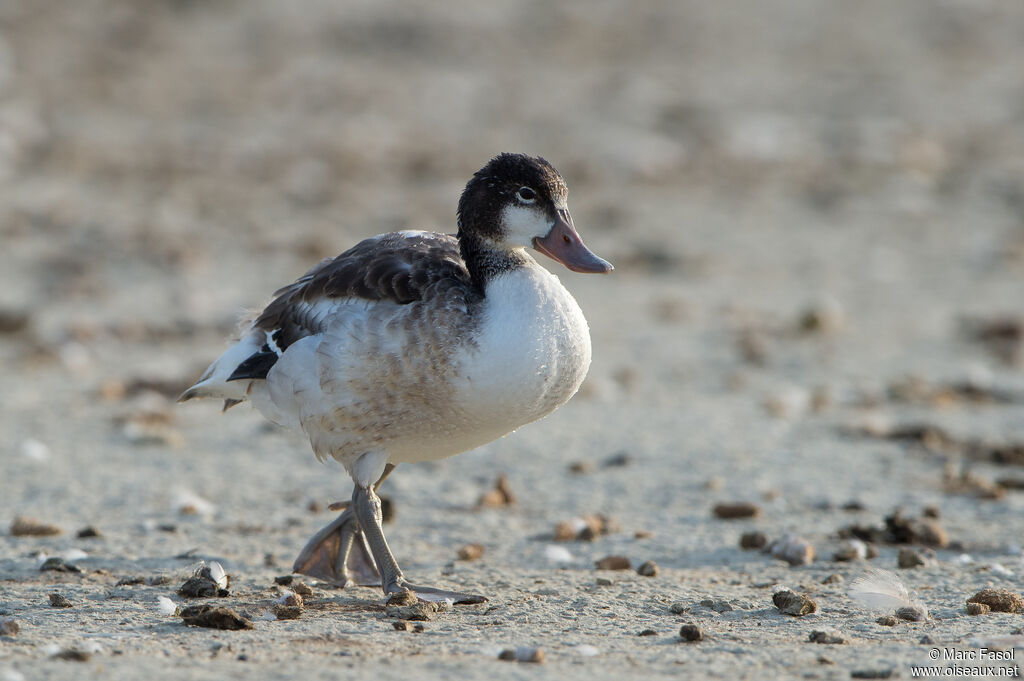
808,205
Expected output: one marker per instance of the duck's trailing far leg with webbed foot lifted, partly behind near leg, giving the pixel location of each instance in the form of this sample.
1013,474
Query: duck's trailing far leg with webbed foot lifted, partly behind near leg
338,554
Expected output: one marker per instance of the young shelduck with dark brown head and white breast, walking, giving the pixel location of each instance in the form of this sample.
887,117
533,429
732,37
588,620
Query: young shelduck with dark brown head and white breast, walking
415,347
